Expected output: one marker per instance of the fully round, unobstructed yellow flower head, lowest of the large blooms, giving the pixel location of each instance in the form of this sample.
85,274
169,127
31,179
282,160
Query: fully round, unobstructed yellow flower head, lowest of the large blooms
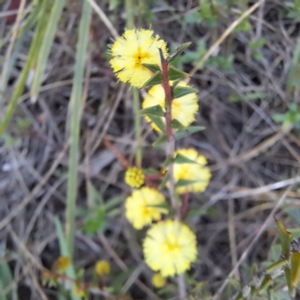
170,247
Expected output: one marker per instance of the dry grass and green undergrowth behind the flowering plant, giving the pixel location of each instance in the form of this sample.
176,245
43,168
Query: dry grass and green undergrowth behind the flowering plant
62,110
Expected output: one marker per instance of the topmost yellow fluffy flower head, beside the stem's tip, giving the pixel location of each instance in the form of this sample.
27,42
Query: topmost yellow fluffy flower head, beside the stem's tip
134,48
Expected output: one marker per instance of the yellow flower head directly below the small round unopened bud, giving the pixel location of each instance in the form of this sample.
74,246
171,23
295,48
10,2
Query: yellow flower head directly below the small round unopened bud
142,207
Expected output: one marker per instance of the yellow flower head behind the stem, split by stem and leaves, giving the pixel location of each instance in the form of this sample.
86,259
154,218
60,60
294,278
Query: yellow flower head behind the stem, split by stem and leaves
183,108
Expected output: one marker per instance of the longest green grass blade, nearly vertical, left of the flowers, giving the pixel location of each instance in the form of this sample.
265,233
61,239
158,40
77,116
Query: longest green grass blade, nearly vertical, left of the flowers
75,108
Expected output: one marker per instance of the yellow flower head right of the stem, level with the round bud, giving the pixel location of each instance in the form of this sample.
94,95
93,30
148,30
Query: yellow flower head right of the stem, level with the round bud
189,171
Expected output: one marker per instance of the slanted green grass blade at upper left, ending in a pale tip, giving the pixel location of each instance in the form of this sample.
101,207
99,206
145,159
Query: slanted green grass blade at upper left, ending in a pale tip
45,48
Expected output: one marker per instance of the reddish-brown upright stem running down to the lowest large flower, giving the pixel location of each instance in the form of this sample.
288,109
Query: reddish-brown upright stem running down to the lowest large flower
169,131
